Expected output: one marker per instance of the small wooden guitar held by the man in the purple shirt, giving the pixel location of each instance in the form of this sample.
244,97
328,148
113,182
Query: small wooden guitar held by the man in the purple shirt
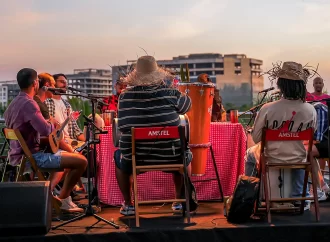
52,142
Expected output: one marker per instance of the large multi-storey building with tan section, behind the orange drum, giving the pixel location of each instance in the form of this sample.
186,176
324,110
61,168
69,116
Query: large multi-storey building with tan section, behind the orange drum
236,75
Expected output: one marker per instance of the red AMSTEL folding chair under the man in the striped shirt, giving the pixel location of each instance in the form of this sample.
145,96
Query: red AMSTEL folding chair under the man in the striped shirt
173,132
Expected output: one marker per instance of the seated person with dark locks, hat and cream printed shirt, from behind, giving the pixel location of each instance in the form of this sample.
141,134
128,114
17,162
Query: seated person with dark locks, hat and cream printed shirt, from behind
290,113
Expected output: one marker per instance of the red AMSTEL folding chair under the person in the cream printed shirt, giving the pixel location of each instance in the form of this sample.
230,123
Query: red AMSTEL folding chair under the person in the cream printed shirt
309,165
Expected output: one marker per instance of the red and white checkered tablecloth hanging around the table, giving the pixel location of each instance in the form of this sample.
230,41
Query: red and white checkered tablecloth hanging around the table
229,145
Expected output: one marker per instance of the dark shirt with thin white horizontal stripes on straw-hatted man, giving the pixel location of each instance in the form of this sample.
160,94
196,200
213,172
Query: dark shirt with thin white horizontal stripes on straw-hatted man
151,107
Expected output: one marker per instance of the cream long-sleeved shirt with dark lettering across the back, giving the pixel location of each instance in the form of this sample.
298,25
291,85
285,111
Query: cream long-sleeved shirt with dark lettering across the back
273,115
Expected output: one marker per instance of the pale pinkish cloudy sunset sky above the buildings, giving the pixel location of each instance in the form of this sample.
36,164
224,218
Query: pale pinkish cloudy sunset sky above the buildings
59,36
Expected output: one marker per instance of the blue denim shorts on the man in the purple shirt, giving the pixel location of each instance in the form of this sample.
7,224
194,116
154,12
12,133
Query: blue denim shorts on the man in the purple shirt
48,160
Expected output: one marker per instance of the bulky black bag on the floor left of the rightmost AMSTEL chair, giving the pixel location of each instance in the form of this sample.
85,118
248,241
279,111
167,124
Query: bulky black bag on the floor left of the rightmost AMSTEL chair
244,199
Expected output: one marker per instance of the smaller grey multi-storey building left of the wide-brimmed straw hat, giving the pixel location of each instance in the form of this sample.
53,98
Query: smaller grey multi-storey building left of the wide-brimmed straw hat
91,81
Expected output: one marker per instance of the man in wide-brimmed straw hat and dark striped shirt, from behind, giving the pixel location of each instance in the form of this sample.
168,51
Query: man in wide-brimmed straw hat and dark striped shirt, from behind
148,102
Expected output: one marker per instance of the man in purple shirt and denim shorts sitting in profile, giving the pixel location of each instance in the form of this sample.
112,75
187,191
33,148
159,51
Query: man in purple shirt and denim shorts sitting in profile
24,114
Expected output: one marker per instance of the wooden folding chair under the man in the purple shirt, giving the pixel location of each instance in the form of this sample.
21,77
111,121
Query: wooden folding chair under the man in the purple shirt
15,134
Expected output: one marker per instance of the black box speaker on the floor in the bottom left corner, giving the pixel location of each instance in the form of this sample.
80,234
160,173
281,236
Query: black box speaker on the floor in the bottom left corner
25,208
